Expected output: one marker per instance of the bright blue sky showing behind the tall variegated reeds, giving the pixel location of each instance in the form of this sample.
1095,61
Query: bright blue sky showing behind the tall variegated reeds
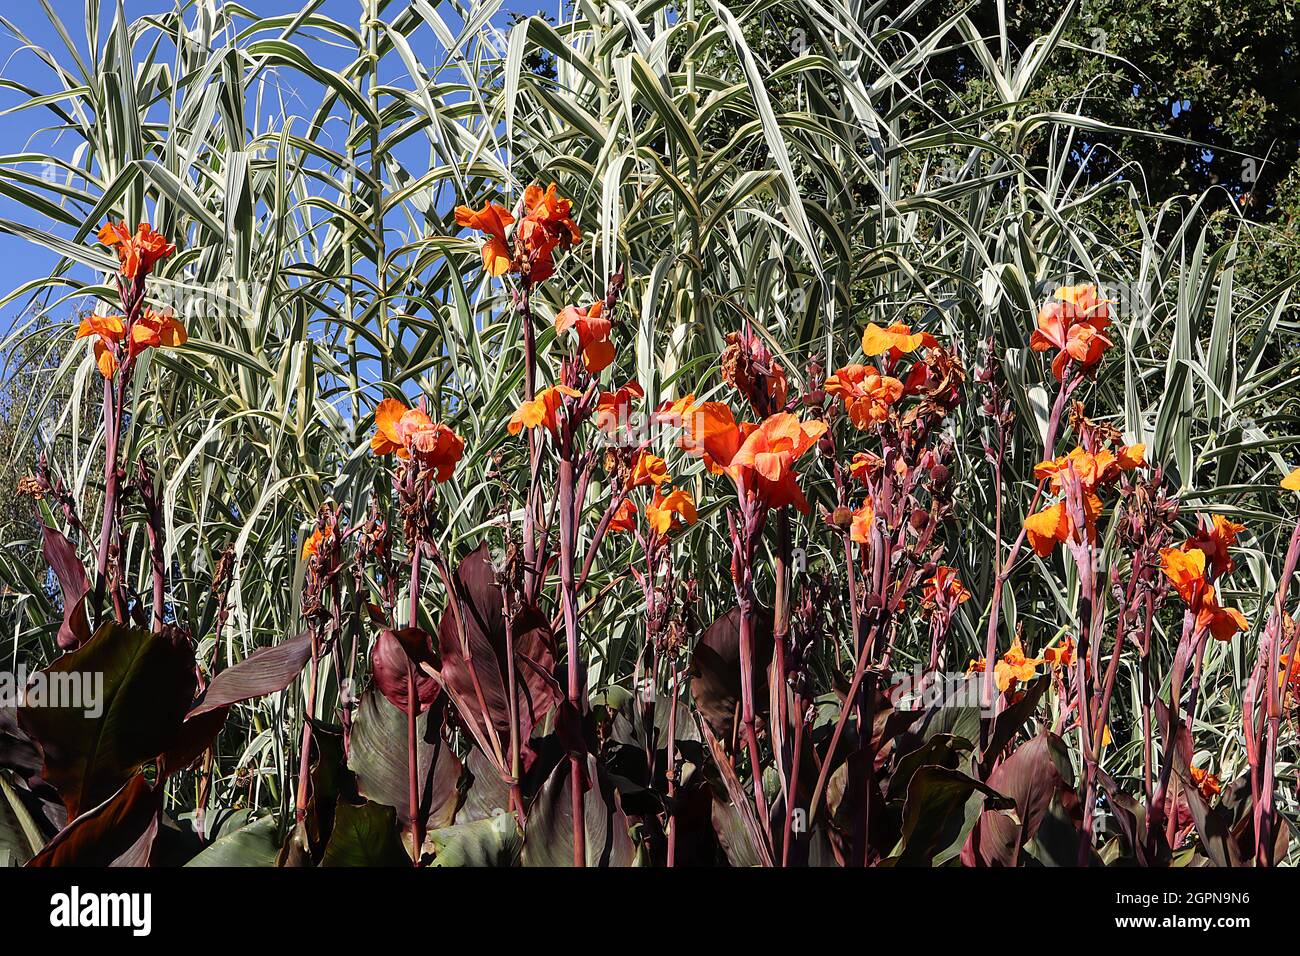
21,131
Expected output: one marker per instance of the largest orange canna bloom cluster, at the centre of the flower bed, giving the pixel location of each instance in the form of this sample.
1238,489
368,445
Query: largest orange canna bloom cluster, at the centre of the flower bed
760,458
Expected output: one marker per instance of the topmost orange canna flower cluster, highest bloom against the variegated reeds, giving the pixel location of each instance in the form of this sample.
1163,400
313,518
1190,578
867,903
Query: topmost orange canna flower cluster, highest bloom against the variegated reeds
547,226
